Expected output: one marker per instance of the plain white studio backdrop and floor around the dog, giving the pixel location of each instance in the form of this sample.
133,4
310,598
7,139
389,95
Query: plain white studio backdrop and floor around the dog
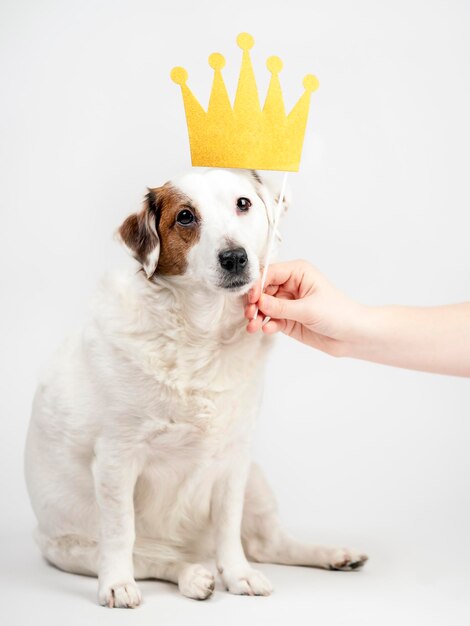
373,456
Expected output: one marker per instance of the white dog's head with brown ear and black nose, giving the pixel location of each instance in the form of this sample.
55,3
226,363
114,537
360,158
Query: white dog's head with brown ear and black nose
211,226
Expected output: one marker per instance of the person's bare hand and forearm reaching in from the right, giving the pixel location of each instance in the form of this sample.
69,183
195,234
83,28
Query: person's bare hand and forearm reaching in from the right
300,302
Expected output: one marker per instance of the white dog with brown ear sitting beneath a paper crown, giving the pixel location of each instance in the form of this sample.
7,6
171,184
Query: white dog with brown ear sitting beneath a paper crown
138,453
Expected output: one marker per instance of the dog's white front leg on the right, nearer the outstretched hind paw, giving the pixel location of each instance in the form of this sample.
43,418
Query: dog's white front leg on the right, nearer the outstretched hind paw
227,506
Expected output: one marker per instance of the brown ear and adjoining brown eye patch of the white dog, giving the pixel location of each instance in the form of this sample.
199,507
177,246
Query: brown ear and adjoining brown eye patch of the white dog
158,236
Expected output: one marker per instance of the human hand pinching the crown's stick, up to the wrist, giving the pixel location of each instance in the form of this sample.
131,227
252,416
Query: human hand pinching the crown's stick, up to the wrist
301,303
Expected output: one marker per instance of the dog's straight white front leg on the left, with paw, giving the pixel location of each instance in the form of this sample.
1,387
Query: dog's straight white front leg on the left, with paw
115,473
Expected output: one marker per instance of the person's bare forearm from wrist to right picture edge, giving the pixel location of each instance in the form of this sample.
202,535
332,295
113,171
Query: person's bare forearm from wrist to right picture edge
432,339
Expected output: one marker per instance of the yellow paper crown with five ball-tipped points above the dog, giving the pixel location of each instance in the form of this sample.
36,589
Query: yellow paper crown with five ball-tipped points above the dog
245,136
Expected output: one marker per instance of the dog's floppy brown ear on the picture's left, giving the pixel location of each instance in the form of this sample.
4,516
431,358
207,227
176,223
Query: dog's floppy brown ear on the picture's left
139,233
